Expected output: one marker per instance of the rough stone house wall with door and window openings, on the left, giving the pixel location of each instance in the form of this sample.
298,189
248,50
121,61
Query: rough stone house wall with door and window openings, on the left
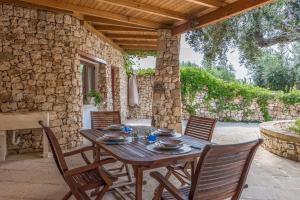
39,69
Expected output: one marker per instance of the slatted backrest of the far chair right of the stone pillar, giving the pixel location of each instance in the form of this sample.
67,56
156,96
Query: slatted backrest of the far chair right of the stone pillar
200,127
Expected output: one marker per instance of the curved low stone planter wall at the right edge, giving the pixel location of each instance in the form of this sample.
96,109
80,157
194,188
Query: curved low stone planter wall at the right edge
280,141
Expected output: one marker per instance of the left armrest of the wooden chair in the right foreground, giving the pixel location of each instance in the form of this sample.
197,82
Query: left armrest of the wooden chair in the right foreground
168,186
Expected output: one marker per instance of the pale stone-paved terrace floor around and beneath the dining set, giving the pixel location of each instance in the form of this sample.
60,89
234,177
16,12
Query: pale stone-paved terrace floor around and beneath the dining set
27,177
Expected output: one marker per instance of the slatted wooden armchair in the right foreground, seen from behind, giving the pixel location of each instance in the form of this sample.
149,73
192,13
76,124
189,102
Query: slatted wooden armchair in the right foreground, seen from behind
220,174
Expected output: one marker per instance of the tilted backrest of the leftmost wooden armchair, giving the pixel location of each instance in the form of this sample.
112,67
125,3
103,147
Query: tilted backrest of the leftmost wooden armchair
56,150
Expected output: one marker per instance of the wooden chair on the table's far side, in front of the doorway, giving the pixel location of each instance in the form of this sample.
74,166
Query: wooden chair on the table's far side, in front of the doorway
102,120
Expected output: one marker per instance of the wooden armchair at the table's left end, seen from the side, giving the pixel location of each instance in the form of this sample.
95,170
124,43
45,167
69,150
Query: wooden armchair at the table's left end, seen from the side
81,179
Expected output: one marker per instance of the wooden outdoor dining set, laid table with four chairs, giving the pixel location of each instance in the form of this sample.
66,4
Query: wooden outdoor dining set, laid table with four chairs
206,171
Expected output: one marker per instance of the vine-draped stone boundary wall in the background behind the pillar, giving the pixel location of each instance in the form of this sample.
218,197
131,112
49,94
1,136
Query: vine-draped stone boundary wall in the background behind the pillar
276,109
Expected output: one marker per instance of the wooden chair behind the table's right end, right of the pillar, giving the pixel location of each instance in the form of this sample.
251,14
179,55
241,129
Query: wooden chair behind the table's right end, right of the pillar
198,127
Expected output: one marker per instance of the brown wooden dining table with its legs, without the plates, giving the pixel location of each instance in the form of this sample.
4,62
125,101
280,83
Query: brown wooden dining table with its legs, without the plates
140,158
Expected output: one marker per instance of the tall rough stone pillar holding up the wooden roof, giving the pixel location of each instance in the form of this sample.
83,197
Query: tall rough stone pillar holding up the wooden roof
166,108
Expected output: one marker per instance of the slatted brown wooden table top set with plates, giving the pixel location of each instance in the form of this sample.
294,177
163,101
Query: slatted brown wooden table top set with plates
136,153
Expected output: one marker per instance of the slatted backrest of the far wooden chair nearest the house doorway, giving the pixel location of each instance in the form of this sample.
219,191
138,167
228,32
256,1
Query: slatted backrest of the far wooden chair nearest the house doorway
104,119
